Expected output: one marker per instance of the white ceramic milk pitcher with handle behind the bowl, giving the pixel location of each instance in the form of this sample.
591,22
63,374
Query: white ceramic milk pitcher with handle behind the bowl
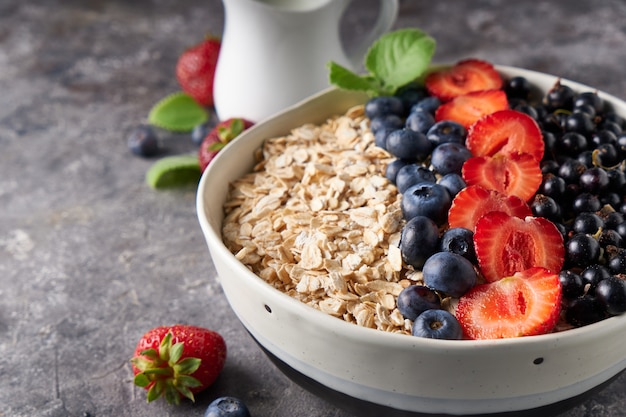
274,53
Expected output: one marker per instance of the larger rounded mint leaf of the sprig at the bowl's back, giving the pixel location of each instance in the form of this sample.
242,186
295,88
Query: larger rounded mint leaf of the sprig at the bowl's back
400,57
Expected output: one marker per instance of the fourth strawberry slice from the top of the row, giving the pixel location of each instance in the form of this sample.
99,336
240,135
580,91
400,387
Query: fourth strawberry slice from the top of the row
519,174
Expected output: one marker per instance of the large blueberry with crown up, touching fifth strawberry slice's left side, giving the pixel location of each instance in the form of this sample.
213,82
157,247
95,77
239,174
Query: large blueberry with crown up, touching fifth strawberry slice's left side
426,199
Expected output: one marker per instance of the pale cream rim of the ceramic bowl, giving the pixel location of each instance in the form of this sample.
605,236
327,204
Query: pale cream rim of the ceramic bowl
370,335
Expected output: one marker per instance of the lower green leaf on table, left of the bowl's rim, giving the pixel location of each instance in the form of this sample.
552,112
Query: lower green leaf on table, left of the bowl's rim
174,171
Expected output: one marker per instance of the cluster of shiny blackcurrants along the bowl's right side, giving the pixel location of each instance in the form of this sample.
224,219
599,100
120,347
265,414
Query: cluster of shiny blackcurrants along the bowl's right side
583,192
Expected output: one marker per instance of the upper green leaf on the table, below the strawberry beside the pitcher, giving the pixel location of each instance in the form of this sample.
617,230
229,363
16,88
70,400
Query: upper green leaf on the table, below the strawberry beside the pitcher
178,112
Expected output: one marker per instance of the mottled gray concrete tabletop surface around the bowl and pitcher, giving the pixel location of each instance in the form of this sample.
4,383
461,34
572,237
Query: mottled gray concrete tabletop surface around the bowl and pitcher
90,257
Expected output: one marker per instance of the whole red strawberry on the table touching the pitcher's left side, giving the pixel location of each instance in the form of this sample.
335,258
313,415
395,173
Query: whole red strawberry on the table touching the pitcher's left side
195,70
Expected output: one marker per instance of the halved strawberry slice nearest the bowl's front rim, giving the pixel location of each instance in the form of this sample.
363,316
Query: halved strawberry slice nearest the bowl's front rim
524,304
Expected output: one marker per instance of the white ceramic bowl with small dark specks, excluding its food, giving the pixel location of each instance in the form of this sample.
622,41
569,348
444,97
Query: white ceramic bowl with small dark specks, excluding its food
377,373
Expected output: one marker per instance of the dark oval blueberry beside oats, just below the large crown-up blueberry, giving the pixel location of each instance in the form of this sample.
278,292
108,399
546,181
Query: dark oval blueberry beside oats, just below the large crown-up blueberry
418,241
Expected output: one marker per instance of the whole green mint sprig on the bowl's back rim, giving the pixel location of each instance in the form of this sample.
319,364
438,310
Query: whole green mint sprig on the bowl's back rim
394,60
